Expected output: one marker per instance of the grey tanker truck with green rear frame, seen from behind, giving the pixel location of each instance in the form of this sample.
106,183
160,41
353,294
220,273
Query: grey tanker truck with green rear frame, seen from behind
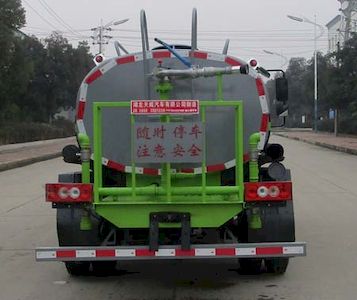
175,164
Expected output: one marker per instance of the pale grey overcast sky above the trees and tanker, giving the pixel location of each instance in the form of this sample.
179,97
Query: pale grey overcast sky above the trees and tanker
252,26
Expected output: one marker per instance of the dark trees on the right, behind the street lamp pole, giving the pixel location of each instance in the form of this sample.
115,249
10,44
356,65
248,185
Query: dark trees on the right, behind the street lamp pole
337,89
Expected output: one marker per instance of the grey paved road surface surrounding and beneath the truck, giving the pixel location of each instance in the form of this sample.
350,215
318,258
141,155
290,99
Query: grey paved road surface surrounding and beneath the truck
326,216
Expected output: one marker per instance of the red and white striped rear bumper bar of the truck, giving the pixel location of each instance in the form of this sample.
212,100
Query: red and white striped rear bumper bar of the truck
256,250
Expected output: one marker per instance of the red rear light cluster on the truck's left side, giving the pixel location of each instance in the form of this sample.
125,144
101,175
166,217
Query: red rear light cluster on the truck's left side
69,192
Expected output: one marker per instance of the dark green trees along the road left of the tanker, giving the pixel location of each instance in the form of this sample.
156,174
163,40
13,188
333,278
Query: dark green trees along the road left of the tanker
37,78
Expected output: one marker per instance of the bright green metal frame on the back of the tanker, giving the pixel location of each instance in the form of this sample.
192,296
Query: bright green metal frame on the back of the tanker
227,201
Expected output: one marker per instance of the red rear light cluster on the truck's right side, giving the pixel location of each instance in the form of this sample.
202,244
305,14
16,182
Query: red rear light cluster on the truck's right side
268,191
